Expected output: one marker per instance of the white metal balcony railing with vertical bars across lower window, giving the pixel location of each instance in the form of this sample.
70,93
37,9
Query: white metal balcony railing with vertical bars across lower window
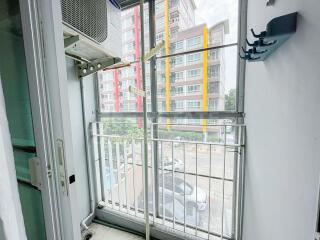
194,186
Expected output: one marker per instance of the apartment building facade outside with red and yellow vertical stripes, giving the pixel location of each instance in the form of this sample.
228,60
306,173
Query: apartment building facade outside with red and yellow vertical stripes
188,82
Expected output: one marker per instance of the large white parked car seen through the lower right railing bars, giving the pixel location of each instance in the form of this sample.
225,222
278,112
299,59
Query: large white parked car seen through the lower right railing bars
192,195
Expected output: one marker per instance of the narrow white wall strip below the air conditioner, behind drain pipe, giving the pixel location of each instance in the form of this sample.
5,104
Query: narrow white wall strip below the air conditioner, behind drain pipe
77,129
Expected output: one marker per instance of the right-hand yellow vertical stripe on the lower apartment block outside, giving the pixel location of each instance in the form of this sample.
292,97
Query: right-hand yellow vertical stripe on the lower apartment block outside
205,78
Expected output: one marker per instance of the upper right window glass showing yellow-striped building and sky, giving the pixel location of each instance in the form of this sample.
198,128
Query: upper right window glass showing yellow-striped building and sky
200,81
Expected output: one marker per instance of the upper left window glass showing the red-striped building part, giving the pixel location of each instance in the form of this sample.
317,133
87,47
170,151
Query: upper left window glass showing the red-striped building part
114,84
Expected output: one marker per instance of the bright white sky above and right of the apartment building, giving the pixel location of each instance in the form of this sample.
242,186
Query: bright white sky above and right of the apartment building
213,12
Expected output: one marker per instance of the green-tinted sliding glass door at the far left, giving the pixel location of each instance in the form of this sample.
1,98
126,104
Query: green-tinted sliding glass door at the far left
13,71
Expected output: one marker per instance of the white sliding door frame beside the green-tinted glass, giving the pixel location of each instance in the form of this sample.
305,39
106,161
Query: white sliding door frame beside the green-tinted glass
40,114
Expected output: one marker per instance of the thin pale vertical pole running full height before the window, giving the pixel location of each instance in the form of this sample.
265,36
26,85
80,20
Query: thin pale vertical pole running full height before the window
145,133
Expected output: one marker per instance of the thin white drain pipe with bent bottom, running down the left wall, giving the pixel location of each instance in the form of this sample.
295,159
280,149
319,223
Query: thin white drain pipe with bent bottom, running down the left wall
83,224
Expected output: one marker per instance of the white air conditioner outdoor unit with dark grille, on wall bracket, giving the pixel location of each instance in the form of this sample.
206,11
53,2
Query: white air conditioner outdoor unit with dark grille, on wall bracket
92,29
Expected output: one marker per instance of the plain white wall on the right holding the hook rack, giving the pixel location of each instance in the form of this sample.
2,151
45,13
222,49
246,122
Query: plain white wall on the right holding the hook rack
282,108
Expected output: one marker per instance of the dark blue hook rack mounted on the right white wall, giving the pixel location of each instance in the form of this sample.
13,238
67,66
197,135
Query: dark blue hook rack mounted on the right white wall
278,30
